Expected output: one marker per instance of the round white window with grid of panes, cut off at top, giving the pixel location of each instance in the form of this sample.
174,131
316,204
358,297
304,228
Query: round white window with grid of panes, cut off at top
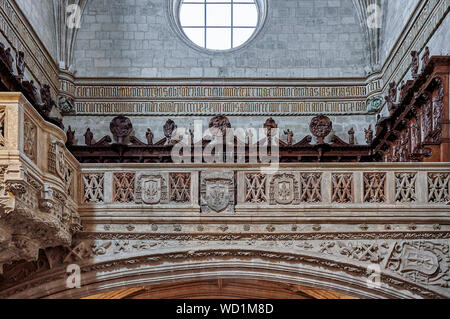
219,24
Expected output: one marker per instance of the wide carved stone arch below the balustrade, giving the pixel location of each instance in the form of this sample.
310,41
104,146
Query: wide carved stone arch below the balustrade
174,266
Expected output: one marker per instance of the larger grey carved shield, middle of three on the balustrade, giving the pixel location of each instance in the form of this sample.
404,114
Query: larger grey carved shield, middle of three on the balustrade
217,192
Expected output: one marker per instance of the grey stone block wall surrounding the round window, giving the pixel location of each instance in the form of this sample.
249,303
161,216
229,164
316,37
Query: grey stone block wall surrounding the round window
300,39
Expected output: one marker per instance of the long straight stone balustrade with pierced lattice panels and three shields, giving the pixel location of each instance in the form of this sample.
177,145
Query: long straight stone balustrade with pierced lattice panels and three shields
291,189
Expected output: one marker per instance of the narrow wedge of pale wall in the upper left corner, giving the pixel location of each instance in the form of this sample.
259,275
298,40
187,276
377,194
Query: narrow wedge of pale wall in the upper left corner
40,14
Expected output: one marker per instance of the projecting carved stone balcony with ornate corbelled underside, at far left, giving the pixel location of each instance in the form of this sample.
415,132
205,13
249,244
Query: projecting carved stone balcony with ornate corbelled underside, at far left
38,182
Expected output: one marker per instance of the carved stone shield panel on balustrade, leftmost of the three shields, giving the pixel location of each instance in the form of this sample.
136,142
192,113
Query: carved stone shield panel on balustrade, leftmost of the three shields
152,189
